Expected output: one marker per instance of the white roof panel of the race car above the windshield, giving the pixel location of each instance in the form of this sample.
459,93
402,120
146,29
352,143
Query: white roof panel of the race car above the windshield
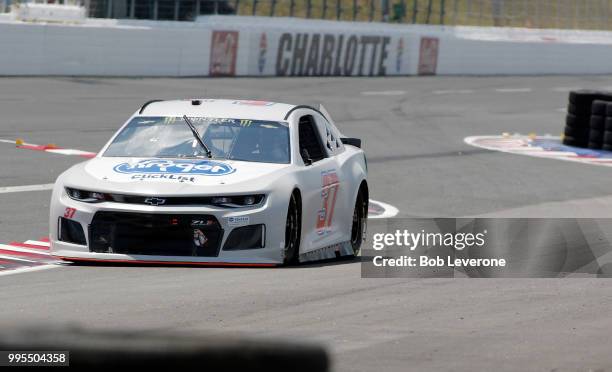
218,108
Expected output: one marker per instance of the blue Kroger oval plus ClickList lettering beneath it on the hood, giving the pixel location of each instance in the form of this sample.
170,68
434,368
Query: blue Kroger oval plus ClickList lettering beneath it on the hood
181,170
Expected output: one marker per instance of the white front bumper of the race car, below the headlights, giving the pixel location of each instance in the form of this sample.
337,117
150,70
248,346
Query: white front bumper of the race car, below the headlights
134,249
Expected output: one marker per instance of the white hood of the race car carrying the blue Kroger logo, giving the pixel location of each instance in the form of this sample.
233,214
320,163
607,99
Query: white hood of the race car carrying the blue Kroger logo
172,176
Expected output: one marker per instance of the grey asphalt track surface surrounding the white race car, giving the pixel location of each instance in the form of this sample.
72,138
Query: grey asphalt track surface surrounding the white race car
413,131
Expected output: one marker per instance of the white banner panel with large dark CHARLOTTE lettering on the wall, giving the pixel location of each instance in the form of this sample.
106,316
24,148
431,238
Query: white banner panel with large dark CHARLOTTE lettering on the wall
329,53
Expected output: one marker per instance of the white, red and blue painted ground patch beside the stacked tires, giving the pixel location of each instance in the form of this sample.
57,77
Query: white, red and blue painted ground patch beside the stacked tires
549,147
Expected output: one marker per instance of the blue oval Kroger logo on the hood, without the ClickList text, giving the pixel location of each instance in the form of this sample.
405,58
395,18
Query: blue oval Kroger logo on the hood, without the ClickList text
165,166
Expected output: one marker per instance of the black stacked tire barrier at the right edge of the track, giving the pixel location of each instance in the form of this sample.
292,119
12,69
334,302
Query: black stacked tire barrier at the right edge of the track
588,114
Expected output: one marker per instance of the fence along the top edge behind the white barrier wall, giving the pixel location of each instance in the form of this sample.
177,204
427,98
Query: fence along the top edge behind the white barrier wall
564,14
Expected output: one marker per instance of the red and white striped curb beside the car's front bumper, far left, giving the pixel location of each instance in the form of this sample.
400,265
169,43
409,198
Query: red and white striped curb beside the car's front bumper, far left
31,255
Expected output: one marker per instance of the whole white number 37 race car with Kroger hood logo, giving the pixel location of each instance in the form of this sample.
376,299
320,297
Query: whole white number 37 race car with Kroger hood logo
221,182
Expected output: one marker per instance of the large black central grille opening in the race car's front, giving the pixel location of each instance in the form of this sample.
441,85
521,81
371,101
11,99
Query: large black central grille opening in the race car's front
155,234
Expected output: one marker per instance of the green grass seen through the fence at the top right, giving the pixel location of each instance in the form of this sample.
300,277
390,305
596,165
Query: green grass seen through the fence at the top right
567,14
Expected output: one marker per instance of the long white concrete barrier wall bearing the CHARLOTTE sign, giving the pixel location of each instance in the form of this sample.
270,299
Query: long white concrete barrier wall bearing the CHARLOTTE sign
261,46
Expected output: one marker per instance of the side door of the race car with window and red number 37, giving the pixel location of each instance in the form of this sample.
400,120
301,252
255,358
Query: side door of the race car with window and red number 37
321,186
